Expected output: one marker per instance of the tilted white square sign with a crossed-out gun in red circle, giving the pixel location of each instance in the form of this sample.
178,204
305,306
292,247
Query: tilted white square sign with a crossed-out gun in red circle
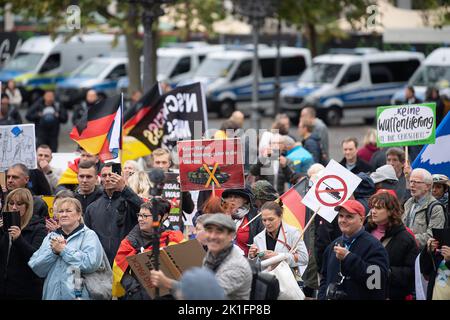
332,188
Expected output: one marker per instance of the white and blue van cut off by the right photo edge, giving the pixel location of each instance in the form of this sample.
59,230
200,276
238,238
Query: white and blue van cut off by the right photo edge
434,72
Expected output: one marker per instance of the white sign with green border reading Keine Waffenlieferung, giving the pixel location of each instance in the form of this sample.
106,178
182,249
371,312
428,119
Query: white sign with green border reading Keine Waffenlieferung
406,125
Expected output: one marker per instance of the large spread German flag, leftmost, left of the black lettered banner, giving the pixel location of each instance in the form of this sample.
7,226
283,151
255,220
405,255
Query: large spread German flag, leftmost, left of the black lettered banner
94,132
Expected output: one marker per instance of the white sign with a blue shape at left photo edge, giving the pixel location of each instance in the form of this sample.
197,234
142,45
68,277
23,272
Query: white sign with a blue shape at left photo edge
17,145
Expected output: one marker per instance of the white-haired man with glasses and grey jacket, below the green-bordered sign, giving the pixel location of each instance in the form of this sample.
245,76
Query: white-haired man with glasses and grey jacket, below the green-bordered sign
416,216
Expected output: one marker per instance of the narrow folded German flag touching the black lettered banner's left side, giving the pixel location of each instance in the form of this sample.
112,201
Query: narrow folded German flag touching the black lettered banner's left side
138,111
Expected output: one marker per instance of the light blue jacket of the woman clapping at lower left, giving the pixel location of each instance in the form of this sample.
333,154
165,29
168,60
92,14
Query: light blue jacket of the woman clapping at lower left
83,252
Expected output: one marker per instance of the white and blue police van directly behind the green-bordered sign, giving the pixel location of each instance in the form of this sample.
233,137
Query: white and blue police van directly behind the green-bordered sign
339,85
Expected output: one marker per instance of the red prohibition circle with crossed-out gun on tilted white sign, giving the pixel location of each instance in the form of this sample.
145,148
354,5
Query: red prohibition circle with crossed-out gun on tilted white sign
335,189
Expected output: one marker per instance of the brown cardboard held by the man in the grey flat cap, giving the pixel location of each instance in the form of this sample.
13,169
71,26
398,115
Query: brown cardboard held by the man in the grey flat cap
174,260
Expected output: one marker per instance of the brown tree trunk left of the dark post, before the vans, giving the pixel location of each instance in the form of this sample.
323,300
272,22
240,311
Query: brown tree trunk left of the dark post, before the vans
134,53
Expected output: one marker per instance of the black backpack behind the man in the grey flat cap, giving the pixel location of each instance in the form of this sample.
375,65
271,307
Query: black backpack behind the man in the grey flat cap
265,286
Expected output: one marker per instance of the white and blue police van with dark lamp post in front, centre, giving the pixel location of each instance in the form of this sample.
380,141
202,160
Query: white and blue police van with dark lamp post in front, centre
228,76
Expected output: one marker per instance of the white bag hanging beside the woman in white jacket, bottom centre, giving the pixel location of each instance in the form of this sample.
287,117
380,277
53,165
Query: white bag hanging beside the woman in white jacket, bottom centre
289,289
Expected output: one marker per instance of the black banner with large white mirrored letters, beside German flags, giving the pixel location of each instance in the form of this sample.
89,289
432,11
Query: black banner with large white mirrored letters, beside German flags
174,117
